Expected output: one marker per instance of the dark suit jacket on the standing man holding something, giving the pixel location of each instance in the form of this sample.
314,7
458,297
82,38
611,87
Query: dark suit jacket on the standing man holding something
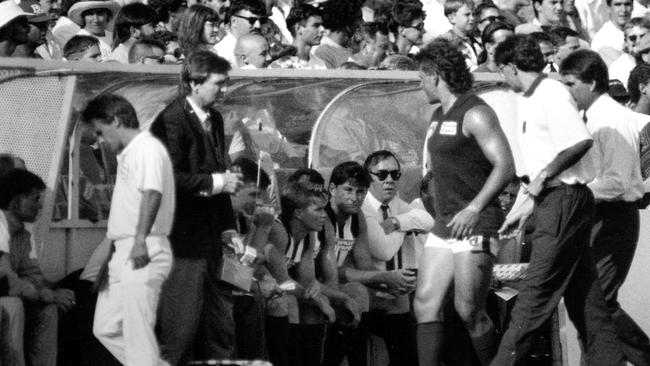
200,218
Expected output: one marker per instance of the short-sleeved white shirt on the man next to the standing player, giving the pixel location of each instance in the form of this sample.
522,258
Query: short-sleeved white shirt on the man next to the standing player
548,123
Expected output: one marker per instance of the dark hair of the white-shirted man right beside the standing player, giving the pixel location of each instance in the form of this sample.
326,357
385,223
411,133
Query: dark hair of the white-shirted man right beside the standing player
521,50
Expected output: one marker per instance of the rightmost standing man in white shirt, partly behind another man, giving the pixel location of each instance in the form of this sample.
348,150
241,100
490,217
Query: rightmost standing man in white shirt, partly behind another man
617,188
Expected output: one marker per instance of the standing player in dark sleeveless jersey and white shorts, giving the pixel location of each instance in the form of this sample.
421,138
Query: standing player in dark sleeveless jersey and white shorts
471,164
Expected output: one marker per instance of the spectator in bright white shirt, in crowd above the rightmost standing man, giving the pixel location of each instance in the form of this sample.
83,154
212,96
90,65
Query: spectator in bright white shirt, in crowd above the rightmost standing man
609,40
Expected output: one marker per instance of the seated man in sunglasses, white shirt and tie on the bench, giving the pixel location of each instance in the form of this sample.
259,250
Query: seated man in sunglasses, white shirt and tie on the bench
389,219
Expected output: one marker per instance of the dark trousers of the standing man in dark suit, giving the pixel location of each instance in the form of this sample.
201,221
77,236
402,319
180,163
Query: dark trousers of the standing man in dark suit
195,311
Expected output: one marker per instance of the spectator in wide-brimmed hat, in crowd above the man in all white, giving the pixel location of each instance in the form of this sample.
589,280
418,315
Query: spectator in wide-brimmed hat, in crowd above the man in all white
93,16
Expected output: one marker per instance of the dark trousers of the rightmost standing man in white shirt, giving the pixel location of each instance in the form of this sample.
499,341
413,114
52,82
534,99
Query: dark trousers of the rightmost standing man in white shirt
614,239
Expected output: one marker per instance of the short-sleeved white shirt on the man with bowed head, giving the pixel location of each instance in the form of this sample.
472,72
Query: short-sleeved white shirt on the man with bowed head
144,164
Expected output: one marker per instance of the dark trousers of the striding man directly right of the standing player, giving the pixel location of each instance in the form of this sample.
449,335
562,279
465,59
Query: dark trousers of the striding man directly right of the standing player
561,265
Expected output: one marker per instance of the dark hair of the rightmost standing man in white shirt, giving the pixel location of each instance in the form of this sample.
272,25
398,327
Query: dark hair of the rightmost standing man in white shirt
588,67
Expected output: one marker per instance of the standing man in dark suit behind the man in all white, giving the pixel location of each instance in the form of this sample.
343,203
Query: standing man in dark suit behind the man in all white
193,133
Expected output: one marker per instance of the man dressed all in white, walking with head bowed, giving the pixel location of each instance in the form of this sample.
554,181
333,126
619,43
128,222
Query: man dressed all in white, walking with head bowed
140,220
